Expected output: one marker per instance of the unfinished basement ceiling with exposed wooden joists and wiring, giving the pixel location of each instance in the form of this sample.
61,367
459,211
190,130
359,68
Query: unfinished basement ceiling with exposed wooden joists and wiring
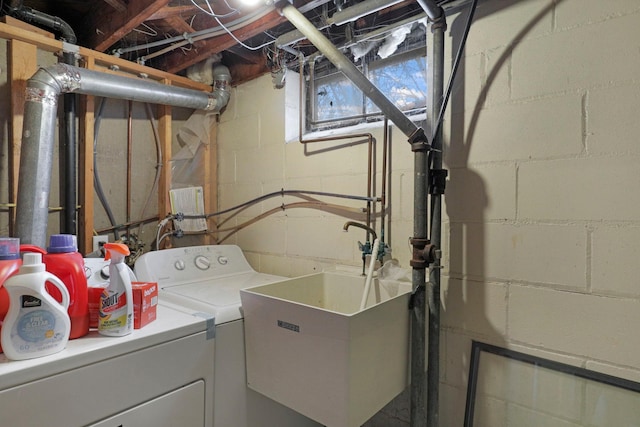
173,35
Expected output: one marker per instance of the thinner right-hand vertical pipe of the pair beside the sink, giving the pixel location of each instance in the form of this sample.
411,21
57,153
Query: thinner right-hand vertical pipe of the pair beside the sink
433,360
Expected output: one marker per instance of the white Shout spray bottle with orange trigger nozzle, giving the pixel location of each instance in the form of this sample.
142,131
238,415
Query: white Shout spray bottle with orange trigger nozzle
116,301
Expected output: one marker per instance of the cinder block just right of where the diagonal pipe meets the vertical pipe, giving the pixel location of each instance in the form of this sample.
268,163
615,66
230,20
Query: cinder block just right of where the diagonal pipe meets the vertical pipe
536,129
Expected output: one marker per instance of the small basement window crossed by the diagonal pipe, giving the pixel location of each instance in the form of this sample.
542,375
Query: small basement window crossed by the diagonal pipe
333,101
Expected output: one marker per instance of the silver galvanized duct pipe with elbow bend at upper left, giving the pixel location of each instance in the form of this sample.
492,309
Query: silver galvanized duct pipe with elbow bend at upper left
38,136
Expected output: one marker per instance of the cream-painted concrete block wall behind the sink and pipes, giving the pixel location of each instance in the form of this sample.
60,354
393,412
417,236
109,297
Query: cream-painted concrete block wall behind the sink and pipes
542,210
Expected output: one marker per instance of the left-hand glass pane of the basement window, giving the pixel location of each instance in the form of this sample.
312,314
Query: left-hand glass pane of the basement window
336,98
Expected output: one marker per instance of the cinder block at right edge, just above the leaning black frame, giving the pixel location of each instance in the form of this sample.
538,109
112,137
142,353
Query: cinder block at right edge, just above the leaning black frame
589,326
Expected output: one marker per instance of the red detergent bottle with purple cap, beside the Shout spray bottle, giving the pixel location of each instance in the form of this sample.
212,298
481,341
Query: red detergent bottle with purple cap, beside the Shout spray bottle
64,261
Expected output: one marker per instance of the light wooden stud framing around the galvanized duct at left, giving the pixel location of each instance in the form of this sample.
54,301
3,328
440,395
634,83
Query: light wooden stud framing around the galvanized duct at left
22,53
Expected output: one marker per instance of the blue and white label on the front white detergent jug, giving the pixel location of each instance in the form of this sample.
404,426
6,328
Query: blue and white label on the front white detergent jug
35,328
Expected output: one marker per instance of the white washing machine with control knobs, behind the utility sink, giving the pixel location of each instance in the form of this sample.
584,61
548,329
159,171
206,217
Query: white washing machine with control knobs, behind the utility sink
206,281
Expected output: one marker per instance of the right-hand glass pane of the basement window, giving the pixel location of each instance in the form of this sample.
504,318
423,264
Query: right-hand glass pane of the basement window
403,82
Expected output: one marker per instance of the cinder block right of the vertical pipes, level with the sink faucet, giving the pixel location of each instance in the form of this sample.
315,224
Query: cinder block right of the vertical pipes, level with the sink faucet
554,254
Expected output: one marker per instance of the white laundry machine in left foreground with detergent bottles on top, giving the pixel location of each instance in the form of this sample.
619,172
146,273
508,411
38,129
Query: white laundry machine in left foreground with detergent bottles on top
100,381
